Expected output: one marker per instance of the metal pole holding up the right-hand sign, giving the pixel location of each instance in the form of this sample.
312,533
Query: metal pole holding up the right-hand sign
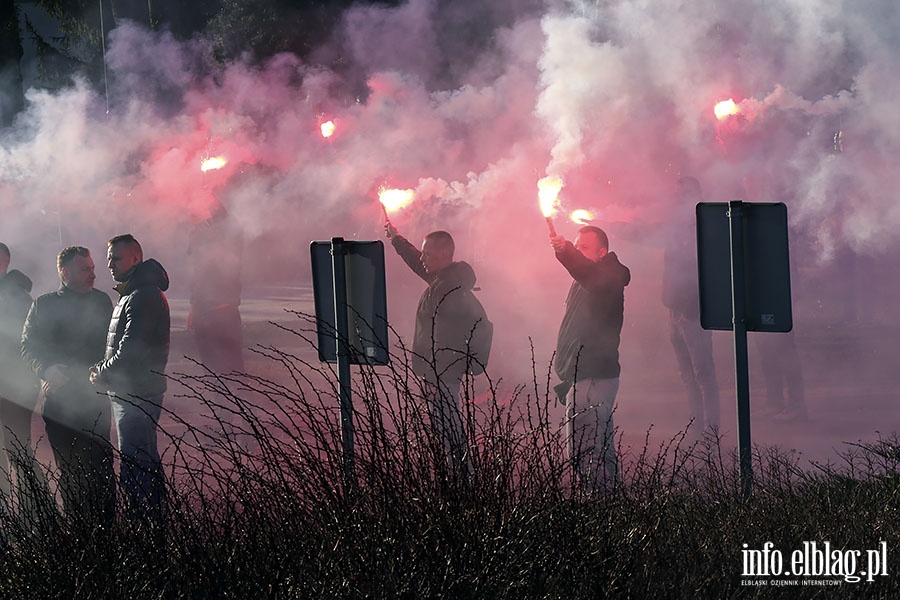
739,314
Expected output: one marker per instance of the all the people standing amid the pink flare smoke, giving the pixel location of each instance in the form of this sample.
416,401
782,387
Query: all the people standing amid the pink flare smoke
91,364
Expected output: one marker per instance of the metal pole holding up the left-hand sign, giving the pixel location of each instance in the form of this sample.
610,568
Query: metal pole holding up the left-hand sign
343,357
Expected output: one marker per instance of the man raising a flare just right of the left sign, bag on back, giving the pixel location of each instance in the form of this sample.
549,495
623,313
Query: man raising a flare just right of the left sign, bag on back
447,318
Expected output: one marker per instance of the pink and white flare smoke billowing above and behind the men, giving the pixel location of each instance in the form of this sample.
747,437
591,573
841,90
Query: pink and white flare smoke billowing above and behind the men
615,97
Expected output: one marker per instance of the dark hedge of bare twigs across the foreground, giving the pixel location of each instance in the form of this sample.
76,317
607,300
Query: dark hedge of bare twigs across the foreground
260,505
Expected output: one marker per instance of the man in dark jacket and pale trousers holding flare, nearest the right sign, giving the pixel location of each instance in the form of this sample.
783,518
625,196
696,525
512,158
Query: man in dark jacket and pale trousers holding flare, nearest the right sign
587,353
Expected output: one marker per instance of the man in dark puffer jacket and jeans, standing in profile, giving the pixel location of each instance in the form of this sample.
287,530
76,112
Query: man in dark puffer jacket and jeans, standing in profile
137,351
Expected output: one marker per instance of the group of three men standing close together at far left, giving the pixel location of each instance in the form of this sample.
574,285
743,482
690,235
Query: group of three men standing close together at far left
90,364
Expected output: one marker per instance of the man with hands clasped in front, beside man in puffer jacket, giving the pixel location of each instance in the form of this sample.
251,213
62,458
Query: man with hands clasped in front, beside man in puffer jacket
64,335
